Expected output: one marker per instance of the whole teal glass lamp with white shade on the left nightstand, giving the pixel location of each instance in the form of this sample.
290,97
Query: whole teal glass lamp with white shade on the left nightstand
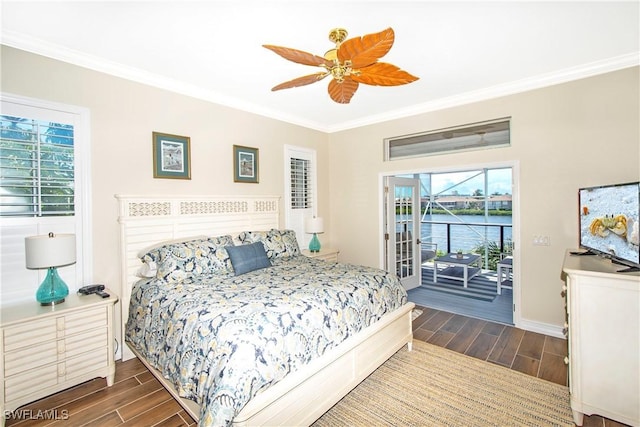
50,252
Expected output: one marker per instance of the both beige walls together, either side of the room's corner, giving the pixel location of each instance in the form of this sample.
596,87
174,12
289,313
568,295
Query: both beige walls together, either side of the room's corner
563,137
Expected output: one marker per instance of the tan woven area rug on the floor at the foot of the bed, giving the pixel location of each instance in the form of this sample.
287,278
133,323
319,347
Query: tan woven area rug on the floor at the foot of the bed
433,386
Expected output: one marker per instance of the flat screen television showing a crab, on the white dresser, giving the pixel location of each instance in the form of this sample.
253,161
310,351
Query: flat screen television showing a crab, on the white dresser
609,221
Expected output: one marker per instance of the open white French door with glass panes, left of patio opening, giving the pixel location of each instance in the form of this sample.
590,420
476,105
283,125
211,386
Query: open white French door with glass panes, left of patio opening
403,229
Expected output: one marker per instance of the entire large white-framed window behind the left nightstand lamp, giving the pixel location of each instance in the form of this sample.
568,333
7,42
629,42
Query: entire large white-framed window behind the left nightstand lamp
44,187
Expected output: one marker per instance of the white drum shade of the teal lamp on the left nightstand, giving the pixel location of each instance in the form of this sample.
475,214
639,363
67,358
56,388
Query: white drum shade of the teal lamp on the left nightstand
53,250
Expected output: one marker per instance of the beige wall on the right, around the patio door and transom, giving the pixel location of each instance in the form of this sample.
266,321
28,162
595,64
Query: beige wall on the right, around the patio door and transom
563,137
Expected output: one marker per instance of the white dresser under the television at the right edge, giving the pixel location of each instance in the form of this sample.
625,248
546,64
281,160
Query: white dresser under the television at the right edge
603,311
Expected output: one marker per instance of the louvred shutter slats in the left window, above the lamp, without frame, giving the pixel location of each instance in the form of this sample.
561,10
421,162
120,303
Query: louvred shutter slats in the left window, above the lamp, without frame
37,171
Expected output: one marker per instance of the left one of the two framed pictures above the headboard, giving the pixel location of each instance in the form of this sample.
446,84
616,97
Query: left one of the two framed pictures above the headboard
171,156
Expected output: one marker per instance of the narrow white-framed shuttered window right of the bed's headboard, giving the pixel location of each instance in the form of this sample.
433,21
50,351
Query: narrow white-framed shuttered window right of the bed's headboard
300,190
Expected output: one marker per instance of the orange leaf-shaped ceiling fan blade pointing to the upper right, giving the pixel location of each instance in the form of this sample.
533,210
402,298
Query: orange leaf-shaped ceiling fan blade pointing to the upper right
365,50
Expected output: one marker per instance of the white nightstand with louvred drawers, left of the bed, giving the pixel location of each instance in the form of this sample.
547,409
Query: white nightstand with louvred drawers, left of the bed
48,349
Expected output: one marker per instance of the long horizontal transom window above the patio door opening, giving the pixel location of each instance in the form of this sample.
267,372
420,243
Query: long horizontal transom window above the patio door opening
476,136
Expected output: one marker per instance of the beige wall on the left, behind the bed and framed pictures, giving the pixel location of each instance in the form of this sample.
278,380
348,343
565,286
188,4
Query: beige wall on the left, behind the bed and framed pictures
123,116
